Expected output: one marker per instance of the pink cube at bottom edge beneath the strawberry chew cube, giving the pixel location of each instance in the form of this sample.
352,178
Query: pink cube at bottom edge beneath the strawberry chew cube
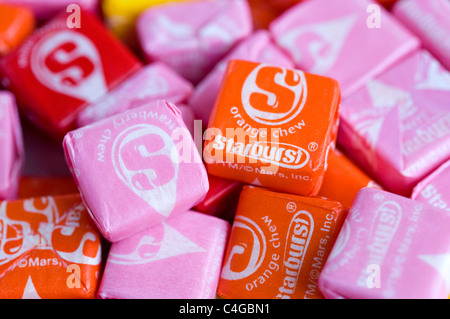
177,259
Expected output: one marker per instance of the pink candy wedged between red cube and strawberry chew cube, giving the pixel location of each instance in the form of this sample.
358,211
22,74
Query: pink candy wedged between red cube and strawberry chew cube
154,82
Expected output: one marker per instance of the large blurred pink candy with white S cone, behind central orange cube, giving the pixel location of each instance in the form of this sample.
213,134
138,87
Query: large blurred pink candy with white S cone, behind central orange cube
339,39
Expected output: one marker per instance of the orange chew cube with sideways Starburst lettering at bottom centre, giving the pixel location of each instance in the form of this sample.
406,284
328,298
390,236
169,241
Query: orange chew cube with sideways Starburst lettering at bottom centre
278,245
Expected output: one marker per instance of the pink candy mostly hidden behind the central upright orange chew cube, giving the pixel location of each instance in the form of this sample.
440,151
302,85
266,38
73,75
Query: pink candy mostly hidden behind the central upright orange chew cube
257,47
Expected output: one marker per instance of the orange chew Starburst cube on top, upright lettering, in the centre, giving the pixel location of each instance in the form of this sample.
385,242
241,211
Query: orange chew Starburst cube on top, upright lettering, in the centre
273,127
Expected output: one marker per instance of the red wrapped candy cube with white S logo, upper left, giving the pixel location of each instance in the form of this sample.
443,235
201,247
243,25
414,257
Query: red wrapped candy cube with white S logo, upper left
58,70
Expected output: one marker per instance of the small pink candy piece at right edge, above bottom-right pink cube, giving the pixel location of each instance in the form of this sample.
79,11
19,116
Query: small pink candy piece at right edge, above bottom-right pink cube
434,189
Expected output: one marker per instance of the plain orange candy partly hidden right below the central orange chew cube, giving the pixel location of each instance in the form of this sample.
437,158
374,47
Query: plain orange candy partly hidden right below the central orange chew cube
343,179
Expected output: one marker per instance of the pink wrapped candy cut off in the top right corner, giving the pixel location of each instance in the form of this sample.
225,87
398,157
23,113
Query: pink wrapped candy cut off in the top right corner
429,21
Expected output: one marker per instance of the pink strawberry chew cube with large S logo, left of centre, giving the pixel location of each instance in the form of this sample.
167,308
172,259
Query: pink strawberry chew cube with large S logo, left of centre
136,169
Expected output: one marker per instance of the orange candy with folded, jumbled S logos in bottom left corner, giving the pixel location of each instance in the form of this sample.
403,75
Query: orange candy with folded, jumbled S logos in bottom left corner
49,249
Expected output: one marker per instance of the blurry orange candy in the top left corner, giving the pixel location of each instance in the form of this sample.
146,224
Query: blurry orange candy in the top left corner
16,23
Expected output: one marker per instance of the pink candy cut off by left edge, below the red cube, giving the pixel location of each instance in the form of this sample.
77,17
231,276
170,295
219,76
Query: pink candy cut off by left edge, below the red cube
11,147
